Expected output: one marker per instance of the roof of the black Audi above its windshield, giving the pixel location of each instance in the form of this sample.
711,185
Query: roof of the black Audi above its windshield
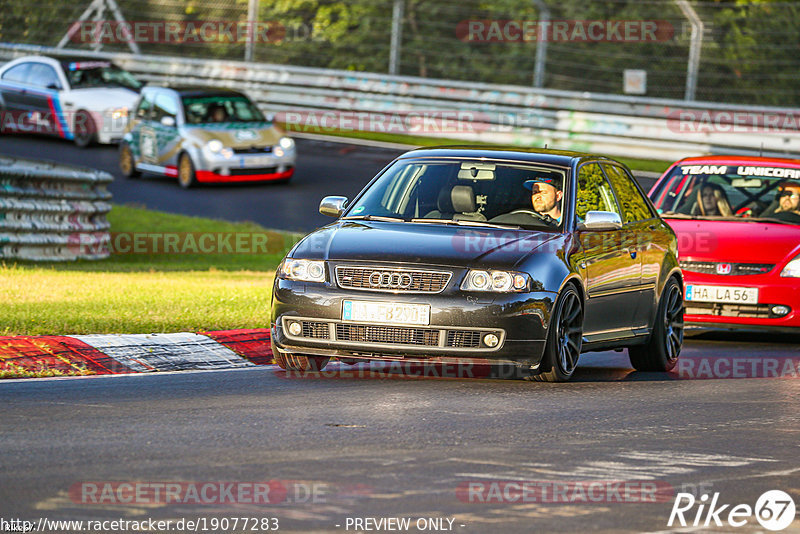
536,155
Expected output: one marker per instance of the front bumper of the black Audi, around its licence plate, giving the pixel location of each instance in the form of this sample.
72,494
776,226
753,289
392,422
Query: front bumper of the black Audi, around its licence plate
458,323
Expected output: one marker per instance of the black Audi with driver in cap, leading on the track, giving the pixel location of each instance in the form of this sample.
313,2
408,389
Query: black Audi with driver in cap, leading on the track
523,256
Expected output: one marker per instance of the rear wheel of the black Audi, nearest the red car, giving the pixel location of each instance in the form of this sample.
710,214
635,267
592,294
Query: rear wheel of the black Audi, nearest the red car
662,350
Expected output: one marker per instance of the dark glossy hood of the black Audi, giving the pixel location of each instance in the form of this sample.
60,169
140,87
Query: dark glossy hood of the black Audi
431,244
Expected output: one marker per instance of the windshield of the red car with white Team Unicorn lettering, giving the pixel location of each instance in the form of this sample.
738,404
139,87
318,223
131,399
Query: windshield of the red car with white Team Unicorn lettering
732,192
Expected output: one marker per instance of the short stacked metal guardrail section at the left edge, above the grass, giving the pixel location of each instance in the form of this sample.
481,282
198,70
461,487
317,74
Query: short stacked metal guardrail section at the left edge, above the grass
52,212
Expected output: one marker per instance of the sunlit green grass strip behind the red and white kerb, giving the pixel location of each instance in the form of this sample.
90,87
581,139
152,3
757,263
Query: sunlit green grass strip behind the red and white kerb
143,293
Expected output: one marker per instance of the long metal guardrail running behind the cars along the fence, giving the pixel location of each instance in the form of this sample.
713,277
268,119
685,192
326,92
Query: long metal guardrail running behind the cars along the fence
608,124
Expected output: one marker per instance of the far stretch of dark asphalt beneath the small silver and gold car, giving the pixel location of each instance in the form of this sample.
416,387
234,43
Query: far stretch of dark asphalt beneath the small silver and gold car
323,168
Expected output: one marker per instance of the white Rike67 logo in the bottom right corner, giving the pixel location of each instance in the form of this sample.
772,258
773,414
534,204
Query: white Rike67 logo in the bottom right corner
774,510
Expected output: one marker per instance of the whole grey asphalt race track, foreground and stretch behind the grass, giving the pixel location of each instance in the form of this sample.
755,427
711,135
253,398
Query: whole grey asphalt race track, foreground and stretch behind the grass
393,444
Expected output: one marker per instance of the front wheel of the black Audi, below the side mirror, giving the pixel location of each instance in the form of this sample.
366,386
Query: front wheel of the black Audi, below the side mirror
564,338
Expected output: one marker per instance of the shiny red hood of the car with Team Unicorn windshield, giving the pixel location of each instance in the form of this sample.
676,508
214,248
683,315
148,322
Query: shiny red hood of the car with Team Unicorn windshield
735,241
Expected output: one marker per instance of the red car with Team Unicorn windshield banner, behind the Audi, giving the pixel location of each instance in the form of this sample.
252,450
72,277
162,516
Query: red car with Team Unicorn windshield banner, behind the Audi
738,225
